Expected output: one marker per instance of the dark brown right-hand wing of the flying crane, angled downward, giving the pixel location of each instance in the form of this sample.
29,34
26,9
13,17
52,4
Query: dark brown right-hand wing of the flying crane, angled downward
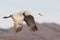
30,22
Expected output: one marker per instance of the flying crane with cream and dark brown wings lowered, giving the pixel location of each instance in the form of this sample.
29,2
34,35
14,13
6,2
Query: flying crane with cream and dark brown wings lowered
26,16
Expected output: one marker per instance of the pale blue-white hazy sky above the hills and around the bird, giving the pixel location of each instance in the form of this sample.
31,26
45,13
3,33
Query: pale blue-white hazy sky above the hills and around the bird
49,8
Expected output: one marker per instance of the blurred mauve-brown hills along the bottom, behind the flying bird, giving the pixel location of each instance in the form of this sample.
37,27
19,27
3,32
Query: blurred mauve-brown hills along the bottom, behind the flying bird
46,31
